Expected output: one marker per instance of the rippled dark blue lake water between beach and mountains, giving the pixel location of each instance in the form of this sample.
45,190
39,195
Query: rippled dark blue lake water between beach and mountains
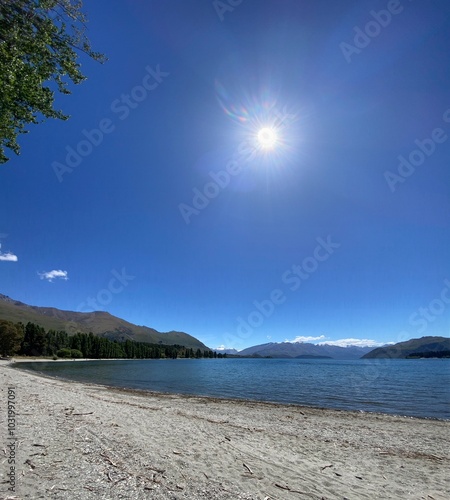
419,388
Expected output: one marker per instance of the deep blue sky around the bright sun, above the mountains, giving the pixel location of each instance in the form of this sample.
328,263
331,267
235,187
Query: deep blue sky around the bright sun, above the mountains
157,203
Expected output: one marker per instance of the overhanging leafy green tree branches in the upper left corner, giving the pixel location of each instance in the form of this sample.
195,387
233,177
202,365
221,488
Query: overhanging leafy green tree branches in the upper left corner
40,41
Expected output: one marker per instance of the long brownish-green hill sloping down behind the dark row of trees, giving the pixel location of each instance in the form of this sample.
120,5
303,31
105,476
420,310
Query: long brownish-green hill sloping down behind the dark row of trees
98,322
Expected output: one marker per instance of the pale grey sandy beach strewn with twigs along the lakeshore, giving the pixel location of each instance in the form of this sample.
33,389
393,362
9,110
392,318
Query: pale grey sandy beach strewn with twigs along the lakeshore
84,441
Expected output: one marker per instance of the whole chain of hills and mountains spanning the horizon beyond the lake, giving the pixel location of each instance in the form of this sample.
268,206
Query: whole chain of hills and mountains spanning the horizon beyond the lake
106,325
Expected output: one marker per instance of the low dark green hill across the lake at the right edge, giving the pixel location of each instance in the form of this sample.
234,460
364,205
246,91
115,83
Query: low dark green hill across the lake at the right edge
424,345
